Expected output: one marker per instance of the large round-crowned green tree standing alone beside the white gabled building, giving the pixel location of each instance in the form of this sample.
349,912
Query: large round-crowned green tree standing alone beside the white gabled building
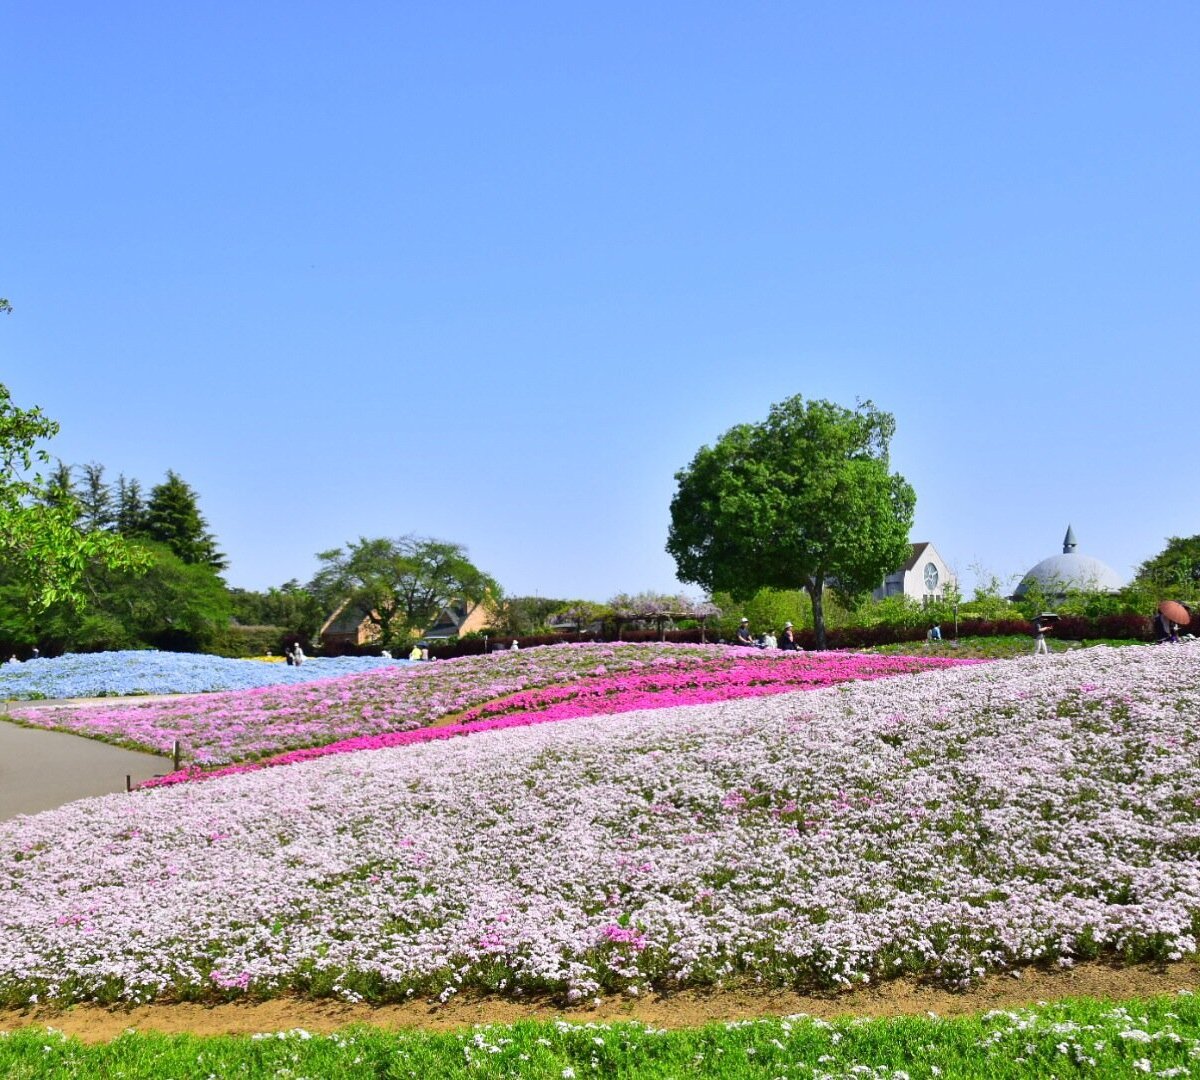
802,501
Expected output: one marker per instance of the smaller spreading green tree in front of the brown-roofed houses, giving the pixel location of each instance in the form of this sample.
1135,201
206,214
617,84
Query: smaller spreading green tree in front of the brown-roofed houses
400,585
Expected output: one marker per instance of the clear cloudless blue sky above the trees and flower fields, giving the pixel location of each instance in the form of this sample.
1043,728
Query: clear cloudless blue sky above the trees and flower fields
494,273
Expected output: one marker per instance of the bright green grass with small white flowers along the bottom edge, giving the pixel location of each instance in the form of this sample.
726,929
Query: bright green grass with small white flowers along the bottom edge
1159,1037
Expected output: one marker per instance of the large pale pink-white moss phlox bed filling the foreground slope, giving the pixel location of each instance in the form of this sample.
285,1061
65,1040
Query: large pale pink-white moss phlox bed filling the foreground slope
971,820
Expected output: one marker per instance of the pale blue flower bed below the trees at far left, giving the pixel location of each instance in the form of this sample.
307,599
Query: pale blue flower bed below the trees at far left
113,675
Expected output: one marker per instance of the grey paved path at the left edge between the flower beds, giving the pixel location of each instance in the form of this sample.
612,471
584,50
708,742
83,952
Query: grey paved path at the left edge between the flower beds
44,770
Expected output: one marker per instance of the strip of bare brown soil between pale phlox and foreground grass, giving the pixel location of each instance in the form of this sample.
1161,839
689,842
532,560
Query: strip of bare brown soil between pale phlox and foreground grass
97,1024
